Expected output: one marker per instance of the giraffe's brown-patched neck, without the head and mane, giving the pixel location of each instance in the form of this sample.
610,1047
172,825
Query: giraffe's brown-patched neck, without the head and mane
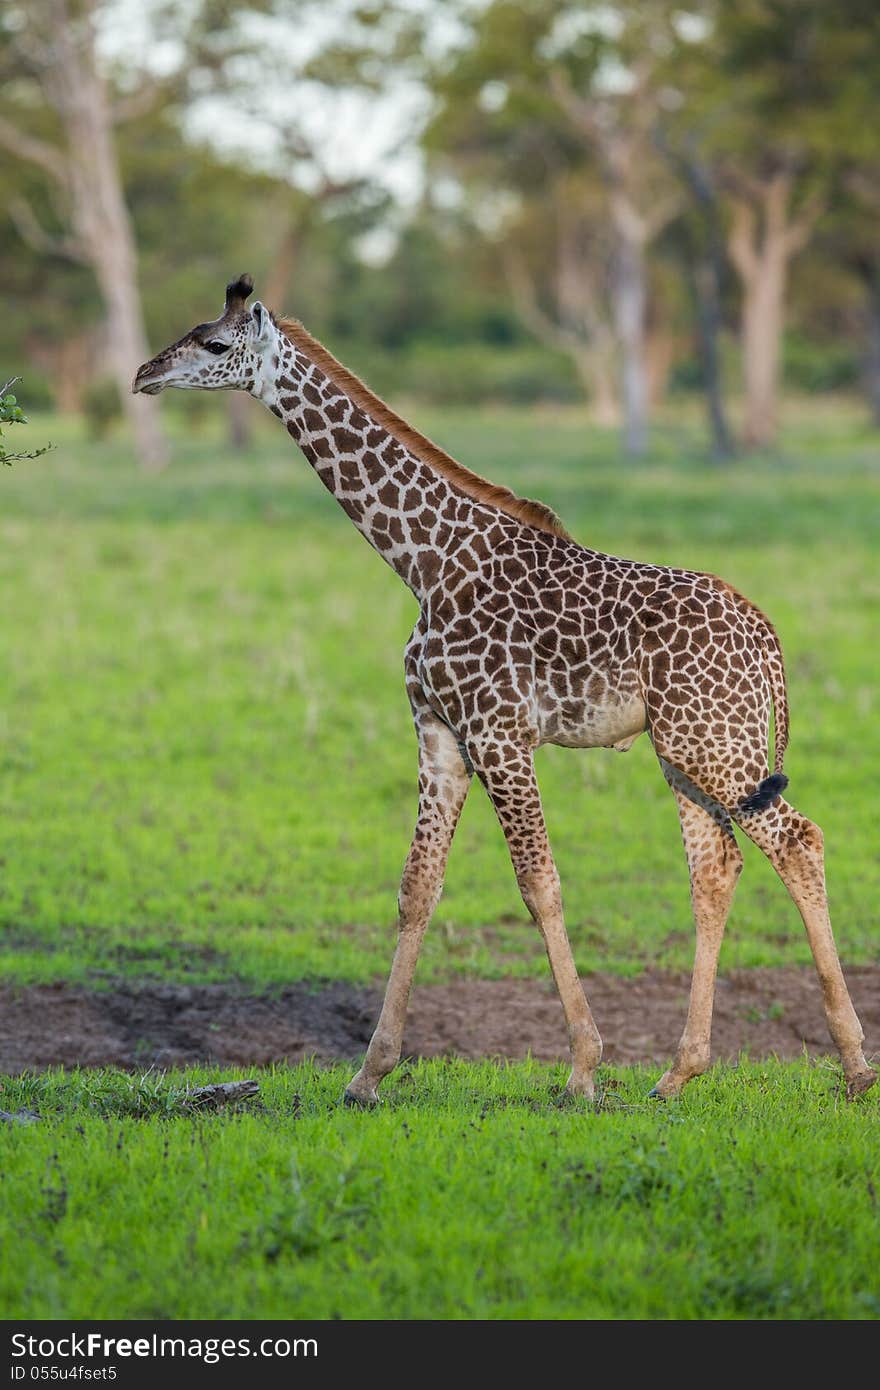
409,514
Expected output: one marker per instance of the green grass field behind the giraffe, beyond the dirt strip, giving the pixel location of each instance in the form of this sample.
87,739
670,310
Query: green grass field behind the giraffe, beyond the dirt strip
206,761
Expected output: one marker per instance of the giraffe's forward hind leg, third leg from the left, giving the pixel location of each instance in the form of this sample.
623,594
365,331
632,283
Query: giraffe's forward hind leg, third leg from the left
715,864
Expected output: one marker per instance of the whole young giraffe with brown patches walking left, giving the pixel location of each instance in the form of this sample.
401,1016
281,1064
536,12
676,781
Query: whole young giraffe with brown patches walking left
523,639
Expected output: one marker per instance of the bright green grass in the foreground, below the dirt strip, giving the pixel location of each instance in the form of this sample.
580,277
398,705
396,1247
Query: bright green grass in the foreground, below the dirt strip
472,1193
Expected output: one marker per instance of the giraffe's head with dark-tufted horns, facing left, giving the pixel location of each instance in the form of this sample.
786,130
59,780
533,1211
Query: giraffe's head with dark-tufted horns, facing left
226,355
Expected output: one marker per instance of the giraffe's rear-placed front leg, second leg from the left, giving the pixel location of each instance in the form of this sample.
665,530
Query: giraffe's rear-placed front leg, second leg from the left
510,778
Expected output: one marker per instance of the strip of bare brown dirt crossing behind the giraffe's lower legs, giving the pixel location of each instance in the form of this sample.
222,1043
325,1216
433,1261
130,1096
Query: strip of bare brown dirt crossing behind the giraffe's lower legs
760,1011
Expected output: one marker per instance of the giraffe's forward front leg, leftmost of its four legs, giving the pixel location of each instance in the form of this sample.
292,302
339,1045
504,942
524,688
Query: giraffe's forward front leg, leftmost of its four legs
443,787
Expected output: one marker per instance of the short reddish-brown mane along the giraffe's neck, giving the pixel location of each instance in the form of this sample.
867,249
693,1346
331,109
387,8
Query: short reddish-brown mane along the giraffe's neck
522,509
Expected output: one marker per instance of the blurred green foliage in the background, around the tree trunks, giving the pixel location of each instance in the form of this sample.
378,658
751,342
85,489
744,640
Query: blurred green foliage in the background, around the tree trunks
793,81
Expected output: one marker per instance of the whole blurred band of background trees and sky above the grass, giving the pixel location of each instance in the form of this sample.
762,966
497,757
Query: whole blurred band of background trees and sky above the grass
607,202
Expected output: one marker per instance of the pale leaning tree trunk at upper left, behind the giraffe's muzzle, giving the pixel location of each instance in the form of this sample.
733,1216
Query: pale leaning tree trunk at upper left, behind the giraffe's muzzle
76,90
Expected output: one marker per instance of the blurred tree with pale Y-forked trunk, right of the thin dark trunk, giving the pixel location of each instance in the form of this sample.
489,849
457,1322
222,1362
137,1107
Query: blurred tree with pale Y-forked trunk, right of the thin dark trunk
781,88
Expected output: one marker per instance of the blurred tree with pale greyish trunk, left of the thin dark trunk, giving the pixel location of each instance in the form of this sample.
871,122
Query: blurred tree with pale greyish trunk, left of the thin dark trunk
546,99
